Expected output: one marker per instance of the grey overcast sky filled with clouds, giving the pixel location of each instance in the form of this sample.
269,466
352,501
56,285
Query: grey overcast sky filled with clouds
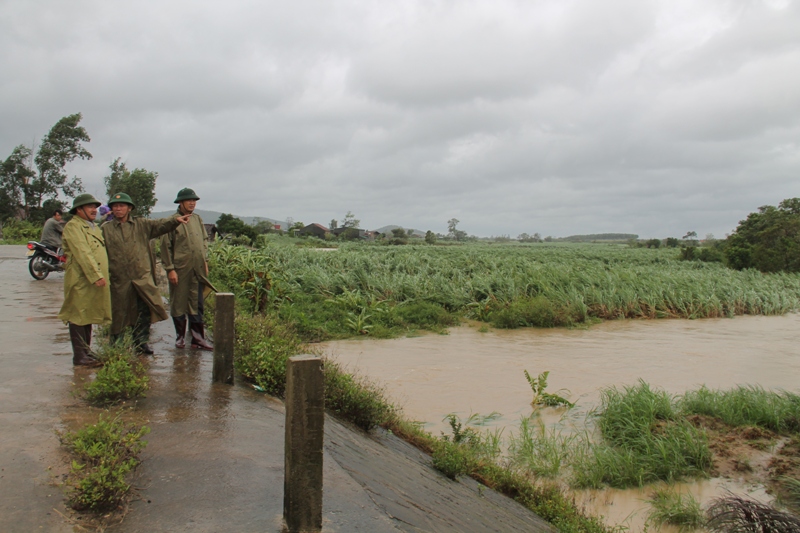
558,117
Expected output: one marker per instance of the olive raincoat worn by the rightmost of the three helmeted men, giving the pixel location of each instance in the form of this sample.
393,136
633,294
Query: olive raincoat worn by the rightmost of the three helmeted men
185,251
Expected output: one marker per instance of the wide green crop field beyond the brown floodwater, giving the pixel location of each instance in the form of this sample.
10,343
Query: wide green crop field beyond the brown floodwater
363,289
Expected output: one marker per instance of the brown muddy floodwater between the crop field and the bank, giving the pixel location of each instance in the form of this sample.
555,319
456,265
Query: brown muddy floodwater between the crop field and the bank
468,371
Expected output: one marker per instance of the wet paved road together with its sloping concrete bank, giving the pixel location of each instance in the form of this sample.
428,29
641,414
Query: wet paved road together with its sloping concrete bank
214,459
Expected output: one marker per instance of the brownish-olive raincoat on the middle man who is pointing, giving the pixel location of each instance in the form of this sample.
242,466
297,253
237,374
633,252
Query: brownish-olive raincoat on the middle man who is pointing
131,264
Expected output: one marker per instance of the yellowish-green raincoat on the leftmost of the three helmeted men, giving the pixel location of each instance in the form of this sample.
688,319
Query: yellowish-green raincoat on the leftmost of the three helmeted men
87,262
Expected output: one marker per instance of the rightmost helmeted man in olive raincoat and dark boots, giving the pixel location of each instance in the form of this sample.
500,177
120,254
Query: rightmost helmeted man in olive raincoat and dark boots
184,253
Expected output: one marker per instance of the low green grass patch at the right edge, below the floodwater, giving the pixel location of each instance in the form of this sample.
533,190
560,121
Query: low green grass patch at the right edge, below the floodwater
749,405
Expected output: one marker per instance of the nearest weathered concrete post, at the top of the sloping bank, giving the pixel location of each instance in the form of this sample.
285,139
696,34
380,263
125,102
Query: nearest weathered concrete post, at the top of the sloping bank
305,419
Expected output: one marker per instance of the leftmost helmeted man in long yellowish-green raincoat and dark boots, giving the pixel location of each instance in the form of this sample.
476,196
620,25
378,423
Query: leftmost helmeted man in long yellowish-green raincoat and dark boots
87,298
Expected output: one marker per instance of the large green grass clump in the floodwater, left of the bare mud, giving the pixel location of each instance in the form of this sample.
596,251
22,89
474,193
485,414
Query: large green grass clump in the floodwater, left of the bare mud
643,441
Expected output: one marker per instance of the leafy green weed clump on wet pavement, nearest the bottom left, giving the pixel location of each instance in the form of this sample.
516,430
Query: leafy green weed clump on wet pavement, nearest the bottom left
105,454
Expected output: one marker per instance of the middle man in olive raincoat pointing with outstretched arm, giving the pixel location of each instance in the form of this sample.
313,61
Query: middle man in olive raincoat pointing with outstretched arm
135,299
